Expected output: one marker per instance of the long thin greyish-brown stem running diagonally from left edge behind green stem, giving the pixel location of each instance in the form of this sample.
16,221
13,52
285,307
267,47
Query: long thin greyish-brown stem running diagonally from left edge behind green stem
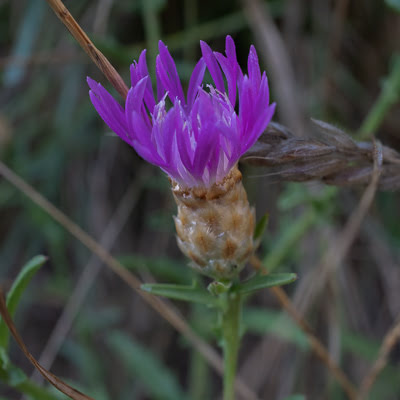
166,311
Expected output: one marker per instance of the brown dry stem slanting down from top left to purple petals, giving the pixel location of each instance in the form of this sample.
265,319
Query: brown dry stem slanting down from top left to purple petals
95,54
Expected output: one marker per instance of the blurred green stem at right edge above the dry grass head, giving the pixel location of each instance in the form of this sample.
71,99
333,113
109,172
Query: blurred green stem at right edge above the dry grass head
387,98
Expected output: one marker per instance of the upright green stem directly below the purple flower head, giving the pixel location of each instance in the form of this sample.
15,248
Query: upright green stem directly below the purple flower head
231,340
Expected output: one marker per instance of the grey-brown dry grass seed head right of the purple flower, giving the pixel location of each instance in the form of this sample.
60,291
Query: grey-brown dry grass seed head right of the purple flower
332,157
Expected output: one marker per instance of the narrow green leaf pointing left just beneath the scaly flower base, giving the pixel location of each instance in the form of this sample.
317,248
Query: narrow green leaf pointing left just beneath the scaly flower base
191,293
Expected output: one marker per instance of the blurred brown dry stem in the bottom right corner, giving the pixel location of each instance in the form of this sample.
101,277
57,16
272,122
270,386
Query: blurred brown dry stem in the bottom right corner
391,338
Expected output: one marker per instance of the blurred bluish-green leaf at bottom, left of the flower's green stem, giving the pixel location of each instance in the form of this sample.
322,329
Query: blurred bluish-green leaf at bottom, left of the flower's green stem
157,378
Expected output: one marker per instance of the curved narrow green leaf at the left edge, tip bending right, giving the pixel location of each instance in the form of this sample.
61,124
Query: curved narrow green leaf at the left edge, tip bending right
16,291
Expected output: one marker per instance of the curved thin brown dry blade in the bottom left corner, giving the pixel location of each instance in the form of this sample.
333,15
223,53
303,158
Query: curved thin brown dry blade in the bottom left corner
54,380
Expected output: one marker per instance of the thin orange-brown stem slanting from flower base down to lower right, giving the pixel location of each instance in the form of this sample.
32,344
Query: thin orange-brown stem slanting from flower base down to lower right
316,345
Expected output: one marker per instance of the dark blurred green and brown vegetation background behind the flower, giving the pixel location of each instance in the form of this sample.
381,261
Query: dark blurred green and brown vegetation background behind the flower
338,54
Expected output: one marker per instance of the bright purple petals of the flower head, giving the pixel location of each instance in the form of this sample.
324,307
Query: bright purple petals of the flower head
198,139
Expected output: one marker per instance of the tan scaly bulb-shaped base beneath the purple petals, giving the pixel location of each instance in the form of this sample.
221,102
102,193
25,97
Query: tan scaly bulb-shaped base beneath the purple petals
215,226
